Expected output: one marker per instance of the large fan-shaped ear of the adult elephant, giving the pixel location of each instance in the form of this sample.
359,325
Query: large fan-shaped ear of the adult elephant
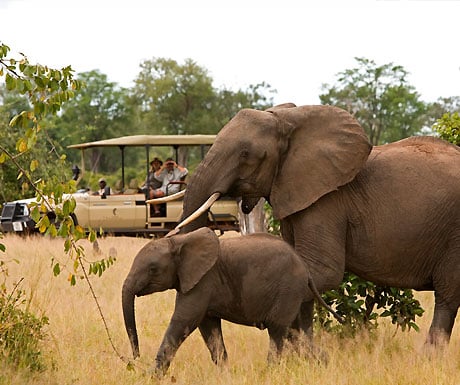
327,148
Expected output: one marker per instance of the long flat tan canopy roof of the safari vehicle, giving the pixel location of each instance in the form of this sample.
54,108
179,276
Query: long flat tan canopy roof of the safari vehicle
149,140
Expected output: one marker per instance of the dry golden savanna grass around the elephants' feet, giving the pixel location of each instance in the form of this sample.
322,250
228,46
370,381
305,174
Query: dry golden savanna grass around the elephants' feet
77,350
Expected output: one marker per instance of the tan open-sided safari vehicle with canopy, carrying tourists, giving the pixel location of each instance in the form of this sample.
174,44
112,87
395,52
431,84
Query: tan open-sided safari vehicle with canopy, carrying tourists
128,212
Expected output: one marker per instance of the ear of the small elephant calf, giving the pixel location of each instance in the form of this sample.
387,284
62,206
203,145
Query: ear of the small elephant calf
196,253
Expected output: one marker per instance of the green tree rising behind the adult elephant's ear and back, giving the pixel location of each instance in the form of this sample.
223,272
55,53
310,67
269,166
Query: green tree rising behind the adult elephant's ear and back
380,98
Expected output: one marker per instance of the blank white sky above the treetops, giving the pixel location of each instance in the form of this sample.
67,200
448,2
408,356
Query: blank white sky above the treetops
293,45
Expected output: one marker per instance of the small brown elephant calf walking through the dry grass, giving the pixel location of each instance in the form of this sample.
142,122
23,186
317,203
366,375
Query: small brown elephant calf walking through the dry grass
255,280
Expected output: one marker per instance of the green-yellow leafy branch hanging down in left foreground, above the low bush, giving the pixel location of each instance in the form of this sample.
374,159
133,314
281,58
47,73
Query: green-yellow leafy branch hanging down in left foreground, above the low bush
46,89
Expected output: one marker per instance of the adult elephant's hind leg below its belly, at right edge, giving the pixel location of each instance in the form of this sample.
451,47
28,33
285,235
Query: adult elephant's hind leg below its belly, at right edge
442,324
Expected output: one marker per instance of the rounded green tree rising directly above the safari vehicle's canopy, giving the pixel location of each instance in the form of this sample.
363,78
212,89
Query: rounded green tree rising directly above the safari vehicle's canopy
173,98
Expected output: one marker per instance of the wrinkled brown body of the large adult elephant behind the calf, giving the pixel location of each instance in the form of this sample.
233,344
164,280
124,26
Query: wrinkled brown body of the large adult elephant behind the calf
390,214
